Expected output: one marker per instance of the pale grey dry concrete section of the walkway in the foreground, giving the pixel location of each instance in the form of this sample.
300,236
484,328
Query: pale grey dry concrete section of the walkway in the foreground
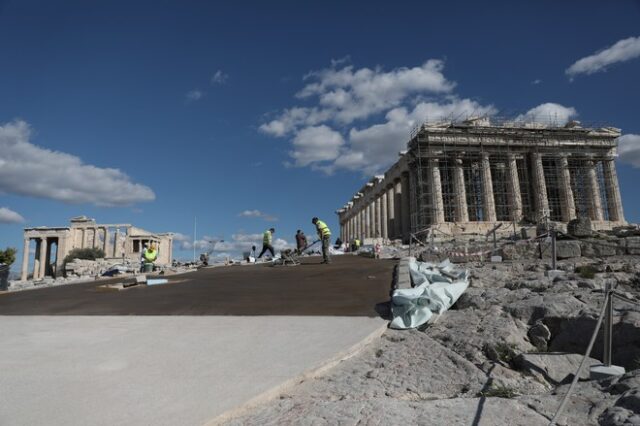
158,370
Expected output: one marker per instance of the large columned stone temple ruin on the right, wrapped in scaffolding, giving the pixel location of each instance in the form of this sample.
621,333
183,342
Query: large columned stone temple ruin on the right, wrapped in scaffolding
465,178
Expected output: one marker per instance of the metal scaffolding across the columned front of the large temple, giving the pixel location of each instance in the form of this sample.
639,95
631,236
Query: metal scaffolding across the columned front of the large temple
439,150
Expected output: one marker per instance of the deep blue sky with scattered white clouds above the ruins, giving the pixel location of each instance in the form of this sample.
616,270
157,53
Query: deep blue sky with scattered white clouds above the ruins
157,112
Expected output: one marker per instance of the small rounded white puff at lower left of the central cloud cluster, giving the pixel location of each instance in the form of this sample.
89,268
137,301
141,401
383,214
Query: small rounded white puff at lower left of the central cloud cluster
314,144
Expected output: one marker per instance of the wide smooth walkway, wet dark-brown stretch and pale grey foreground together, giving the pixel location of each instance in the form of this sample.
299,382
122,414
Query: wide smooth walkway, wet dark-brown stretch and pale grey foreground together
179,369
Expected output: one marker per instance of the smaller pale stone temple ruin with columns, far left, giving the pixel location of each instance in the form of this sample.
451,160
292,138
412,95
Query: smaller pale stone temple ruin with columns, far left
116,240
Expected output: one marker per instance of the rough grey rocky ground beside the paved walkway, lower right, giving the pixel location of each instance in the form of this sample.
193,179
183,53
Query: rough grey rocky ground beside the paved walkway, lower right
504,355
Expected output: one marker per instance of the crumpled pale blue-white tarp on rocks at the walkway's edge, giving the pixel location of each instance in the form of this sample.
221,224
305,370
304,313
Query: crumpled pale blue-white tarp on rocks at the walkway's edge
436,289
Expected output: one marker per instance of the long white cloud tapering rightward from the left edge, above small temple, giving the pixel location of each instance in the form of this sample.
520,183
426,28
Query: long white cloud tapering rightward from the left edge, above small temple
27,169
